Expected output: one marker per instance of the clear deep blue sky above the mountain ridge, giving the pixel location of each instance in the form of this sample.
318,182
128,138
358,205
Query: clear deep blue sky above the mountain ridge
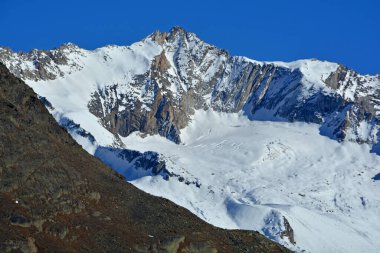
347,32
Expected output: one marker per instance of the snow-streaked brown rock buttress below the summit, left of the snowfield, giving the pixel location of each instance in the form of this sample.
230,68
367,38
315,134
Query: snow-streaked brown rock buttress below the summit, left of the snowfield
161,118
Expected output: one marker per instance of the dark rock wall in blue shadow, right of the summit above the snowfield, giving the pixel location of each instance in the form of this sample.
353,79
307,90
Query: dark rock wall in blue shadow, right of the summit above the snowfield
281,95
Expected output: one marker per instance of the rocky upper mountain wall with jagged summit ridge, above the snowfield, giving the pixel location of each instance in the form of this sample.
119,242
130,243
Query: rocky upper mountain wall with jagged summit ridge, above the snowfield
157,84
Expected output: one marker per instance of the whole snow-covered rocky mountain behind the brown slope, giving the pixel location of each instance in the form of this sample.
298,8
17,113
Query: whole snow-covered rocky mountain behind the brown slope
287,149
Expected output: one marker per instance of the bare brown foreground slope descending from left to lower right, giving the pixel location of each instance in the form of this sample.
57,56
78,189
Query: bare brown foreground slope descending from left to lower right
55,197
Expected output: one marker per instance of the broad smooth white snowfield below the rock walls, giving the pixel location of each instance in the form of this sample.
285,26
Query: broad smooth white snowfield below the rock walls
254,173
